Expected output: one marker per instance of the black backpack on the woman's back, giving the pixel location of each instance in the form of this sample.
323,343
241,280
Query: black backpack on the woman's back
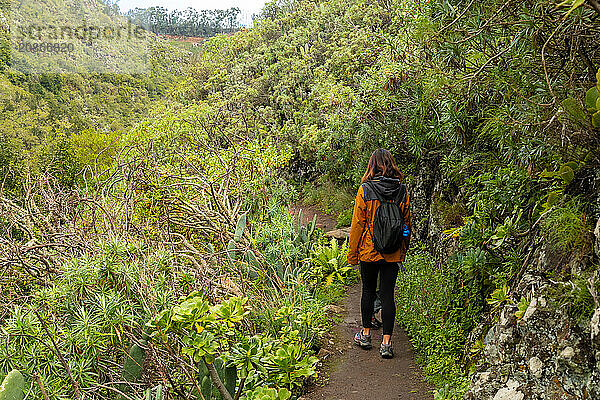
389,229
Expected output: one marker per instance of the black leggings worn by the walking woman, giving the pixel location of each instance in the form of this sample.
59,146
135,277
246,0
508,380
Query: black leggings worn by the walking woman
387,272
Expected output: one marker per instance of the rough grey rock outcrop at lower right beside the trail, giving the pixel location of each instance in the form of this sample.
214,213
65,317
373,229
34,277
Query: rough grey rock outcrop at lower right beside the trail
547,354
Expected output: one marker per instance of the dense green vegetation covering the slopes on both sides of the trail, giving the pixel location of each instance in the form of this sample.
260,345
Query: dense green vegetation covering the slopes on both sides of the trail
171,234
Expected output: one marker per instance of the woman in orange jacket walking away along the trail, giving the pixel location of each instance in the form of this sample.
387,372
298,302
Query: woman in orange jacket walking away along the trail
379,238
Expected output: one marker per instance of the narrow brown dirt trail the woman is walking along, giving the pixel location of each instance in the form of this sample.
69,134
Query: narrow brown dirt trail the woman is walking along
350,373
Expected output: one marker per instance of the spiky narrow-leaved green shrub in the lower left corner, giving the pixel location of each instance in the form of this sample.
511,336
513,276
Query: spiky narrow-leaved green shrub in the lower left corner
93,306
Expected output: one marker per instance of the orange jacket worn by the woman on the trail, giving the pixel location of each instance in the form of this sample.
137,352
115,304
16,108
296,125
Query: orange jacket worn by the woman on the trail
360,246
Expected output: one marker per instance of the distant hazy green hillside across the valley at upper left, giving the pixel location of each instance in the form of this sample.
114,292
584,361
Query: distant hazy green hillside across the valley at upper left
49,99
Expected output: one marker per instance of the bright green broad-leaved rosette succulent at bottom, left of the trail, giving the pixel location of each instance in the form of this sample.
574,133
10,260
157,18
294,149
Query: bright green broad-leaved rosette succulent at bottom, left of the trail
210,332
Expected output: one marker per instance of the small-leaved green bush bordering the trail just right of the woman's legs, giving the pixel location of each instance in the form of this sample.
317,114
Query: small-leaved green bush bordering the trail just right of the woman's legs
438,307
